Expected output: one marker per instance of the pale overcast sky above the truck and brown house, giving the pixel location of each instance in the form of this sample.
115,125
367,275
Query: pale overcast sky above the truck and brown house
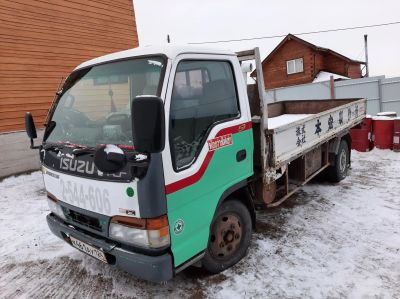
189,21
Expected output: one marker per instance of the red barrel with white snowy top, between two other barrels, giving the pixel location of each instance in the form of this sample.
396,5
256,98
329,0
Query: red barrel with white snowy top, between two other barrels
383,129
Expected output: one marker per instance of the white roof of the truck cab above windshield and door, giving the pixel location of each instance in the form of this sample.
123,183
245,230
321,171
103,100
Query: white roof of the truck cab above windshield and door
171,51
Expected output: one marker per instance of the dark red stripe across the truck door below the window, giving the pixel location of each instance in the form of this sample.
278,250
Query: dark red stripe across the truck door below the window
190,180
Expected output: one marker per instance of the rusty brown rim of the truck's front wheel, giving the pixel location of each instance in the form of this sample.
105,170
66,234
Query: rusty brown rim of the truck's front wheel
226,236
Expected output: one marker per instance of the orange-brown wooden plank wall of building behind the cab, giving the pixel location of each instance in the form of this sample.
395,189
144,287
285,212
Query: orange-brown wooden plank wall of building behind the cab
44,40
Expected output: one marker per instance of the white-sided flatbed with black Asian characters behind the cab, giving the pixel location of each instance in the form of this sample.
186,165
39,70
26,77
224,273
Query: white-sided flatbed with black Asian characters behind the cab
296,140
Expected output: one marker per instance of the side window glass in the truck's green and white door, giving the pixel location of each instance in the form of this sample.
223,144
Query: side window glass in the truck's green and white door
204,93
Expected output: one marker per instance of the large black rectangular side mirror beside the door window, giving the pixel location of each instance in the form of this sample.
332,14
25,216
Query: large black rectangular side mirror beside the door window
148,124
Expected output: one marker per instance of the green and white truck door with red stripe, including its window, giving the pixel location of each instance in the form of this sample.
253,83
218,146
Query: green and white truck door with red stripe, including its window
210,148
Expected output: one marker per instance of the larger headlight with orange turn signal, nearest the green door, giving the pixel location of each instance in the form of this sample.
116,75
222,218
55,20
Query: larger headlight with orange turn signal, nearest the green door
153,233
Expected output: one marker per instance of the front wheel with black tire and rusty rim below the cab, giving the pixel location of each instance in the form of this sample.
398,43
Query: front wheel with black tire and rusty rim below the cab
230,235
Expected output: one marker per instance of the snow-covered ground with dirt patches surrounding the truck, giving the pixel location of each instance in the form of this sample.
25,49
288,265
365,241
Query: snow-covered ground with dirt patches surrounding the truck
329,241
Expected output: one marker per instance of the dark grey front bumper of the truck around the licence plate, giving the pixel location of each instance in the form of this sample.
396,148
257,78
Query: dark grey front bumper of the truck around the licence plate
152,268
